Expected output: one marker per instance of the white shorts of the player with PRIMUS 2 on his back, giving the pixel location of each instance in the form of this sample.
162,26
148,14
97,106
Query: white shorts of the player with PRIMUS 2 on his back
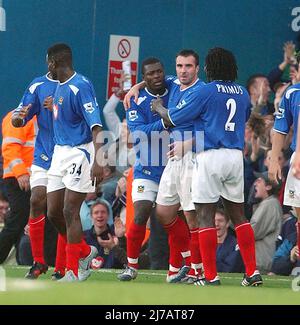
218,172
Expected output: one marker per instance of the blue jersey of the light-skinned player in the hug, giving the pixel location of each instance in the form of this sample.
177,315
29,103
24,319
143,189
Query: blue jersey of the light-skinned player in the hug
183,98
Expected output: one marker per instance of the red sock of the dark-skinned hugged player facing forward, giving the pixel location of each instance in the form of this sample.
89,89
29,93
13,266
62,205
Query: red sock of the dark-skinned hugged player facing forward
135,237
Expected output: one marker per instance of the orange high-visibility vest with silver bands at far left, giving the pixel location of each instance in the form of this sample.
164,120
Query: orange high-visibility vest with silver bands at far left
17,147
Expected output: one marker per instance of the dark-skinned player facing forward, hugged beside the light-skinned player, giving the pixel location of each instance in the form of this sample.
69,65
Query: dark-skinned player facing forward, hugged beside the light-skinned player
146,130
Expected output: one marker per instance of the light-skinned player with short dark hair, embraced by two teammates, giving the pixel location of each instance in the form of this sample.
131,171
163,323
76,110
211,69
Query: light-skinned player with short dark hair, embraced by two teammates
174,188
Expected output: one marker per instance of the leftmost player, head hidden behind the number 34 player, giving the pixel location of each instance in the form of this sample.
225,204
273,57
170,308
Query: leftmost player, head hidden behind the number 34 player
34,103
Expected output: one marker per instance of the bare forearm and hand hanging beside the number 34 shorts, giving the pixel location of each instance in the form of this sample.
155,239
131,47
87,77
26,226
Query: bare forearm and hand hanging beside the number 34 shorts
97,168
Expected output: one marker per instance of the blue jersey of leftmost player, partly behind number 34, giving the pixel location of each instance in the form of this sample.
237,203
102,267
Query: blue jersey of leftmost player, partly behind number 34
35,94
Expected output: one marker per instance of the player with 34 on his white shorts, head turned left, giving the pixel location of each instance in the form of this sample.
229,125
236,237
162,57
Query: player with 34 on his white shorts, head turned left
77,135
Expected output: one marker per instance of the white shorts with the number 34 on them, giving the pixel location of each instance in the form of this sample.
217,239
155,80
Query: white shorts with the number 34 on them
70,168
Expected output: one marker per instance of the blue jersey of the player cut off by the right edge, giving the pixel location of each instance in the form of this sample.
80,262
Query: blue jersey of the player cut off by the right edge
289,111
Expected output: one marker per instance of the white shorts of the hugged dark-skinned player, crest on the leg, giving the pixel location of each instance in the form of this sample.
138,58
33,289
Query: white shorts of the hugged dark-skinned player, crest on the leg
144,189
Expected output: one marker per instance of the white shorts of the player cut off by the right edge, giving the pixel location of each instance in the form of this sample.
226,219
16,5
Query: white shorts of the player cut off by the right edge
292,189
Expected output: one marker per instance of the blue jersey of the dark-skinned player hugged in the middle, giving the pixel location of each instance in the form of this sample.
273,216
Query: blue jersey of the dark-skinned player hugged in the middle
149,141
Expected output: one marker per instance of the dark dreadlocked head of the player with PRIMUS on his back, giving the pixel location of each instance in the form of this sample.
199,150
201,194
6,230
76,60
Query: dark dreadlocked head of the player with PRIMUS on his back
220,64
